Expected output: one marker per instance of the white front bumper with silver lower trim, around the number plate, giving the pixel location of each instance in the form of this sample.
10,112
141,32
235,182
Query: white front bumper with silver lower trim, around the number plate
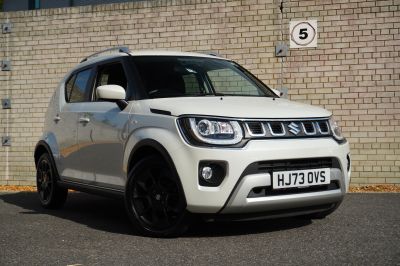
231,197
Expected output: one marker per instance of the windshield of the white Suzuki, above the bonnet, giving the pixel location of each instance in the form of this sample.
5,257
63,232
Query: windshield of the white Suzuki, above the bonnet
171,76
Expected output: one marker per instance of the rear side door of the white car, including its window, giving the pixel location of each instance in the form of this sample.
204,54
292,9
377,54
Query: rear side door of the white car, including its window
71,166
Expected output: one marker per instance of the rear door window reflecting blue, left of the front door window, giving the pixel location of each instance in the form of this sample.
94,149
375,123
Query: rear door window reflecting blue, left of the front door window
77,89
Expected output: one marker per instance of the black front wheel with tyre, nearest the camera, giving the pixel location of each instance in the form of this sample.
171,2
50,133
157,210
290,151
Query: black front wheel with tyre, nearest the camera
154,199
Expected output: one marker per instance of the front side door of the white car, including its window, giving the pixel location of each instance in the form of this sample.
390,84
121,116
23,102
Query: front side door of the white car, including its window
102,129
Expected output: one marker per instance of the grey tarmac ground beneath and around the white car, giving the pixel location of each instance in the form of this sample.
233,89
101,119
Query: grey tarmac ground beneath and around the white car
91,230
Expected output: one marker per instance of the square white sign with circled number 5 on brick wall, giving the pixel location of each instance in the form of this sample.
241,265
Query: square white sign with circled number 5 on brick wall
303,34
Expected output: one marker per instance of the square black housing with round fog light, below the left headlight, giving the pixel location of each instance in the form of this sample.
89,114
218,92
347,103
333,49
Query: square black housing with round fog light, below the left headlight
211,173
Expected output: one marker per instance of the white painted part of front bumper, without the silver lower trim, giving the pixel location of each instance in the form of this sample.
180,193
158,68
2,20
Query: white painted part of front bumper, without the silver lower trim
211,200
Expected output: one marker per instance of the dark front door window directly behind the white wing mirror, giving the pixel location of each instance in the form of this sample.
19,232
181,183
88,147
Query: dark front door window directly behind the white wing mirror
112,74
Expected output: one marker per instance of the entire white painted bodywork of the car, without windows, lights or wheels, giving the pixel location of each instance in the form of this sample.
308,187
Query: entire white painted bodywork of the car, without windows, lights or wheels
97,153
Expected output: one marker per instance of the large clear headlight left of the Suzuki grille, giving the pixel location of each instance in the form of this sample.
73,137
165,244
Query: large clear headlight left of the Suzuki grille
212,131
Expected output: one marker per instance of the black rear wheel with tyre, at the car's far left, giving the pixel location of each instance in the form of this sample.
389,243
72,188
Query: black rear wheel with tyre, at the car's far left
51,196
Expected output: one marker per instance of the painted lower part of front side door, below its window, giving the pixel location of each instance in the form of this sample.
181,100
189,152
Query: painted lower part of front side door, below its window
101,140
